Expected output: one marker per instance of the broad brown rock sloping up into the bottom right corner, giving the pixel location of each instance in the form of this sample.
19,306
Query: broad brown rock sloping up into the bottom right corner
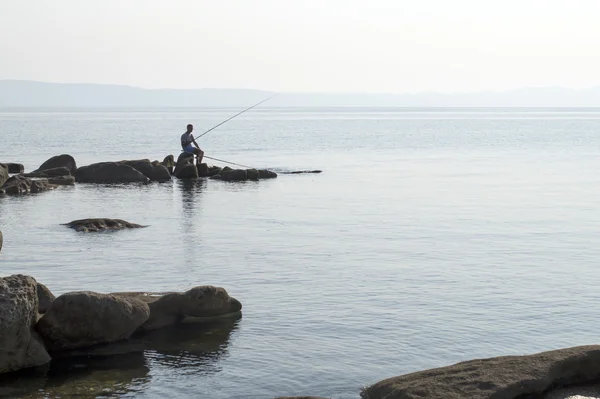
500,377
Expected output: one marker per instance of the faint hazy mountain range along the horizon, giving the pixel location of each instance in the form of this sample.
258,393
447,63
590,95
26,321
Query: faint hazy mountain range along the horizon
20,93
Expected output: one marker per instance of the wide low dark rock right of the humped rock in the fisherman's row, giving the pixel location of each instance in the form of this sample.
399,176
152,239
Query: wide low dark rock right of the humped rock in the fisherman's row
109,172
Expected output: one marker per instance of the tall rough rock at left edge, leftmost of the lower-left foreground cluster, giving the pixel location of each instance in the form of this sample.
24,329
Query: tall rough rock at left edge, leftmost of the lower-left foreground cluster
20,346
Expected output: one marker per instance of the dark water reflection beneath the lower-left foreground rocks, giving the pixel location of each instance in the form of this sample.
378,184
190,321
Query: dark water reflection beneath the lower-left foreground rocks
112,370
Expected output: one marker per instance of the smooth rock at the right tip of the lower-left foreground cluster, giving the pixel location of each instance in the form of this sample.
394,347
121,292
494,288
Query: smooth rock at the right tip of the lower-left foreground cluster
204,302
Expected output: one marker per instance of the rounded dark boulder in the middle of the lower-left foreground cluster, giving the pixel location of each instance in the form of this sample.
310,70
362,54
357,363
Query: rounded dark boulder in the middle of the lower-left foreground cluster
81,319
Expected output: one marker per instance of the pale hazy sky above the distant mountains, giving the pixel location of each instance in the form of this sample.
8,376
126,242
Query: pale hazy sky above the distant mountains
304,45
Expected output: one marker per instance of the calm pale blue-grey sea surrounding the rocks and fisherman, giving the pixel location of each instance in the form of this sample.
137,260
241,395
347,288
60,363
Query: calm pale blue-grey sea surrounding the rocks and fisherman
432,236
